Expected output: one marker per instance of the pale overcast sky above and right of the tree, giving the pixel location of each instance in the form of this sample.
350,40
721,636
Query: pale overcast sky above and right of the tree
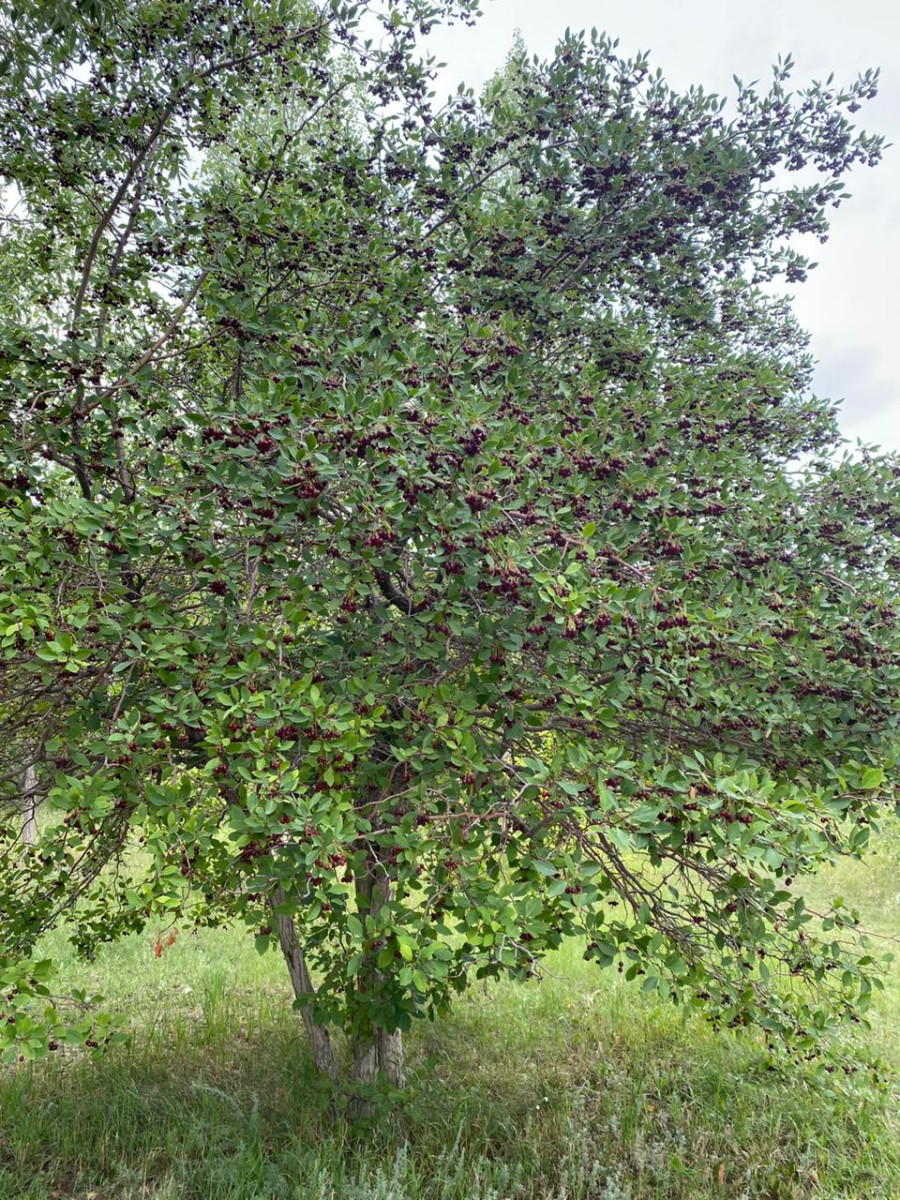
850,303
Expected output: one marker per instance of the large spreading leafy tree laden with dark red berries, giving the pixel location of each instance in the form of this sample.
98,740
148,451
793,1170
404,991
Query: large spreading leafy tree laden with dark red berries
433,549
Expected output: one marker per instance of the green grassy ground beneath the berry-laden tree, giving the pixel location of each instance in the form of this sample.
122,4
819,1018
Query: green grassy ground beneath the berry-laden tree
578,1089
